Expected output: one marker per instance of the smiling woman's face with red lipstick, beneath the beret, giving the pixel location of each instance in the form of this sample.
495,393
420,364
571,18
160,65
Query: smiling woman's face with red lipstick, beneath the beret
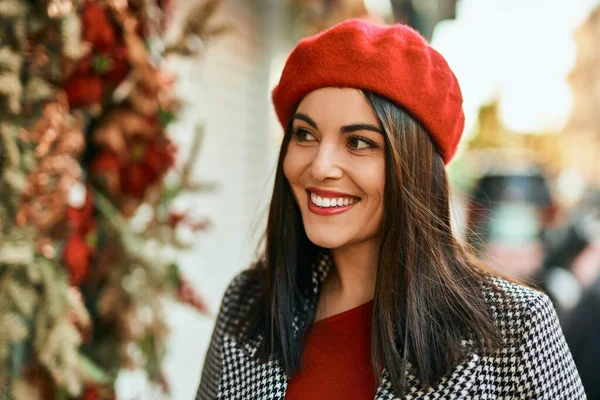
335,165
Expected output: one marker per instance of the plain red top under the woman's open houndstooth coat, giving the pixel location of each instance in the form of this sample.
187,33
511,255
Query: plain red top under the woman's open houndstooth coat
337,359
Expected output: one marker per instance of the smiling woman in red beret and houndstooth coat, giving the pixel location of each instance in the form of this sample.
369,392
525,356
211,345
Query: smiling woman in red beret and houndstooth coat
362,291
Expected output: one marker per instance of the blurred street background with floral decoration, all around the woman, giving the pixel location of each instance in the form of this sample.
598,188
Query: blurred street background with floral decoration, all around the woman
138,146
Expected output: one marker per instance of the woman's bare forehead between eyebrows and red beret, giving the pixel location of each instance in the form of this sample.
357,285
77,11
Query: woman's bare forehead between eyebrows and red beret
335,107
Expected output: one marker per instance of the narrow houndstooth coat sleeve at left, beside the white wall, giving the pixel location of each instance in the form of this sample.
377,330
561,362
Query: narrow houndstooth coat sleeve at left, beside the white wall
211,371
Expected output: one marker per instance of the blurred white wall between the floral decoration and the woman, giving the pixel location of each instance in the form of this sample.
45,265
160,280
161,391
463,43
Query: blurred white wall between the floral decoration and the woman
228,92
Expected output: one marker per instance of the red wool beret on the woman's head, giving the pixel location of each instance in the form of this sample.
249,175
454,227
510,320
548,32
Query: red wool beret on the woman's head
393,61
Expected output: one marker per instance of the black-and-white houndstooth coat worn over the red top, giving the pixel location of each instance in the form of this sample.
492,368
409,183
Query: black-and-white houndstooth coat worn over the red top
534,364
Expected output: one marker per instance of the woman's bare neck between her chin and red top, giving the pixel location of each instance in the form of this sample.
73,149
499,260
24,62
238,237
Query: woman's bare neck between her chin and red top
352,280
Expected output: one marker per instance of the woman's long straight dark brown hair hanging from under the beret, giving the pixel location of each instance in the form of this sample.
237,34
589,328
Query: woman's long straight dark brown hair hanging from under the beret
428,294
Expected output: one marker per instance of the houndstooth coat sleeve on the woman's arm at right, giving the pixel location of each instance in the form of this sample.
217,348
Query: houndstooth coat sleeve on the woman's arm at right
547,367
